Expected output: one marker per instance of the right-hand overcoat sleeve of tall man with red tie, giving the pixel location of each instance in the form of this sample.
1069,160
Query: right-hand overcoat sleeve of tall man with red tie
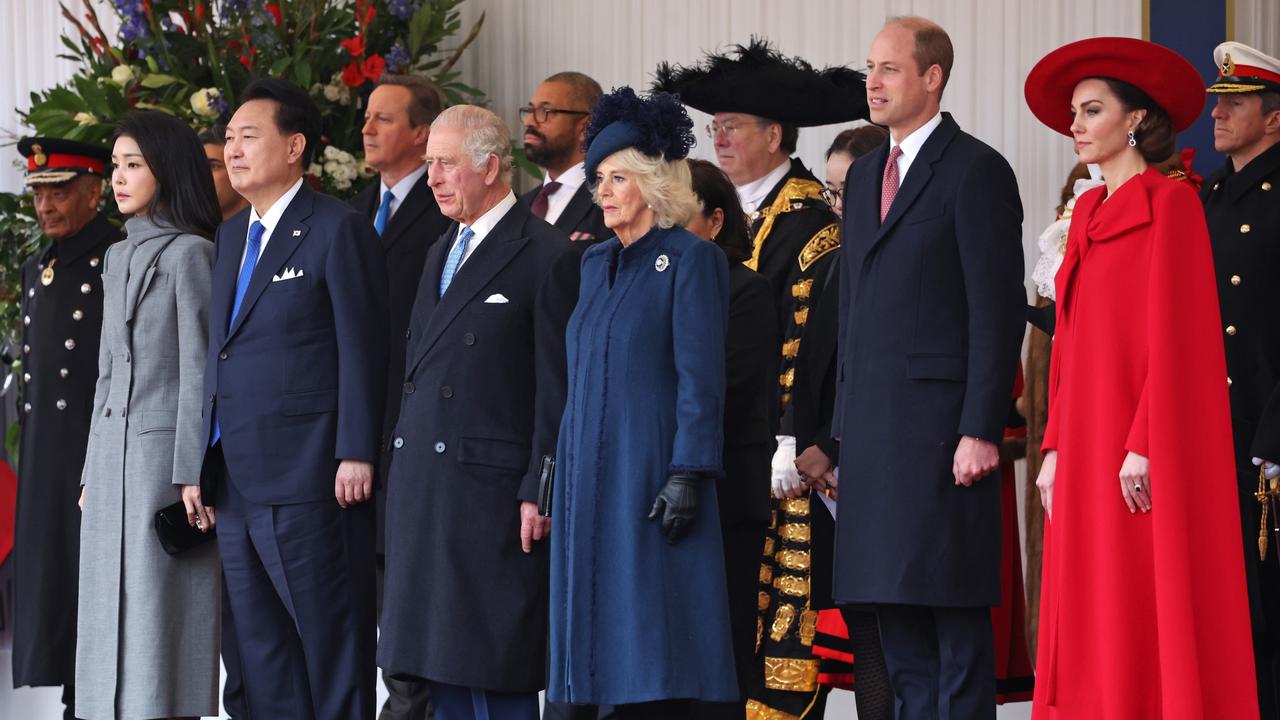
989,235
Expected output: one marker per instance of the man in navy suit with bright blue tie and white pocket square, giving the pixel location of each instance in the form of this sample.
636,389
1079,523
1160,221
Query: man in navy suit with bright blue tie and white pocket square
295,381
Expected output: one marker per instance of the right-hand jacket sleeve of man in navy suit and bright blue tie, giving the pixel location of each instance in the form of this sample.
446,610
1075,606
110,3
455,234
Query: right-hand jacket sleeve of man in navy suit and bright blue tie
355,270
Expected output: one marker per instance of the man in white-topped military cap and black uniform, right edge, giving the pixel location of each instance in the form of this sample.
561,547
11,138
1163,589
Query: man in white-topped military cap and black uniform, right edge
1242,207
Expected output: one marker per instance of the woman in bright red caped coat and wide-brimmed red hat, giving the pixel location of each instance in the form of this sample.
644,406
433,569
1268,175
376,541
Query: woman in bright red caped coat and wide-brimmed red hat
1144,609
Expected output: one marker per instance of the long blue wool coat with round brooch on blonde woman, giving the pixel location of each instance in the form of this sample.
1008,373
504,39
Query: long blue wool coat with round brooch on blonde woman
636,619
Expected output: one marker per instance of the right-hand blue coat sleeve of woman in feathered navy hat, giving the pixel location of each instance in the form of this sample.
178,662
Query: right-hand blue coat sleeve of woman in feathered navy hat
700,322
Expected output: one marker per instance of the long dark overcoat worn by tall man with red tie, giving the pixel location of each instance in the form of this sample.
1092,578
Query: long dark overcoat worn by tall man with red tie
932,318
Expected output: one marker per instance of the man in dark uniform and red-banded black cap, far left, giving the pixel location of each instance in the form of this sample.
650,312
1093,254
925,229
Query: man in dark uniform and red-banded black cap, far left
62,320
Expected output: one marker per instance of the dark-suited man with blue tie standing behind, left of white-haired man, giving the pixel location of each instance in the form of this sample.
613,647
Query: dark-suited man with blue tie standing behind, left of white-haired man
397,122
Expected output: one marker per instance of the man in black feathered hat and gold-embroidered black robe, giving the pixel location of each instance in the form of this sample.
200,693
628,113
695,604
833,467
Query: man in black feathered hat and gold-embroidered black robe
760,101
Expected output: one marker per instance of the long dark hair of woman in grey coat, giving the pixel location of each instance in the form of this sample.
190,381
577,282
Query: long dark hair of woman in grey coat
185,194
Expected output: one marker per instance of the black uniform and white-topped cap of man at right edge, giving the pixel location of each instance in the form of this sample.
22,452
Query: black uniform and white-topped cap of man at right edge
1242,209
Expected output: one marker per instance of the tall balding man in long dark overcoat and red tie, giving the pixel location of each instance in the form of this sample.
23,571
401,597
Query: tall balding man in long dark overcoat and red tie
932,318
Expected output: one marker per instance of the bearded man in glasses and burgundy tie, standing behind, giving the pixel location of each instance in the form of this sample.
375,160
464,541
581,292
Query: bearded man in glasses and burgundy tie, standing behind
555,122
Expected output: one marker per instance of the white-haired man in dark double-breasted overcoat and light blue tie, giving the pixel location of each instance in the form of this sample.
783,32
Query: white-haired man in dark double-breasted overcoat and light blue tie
483,391
